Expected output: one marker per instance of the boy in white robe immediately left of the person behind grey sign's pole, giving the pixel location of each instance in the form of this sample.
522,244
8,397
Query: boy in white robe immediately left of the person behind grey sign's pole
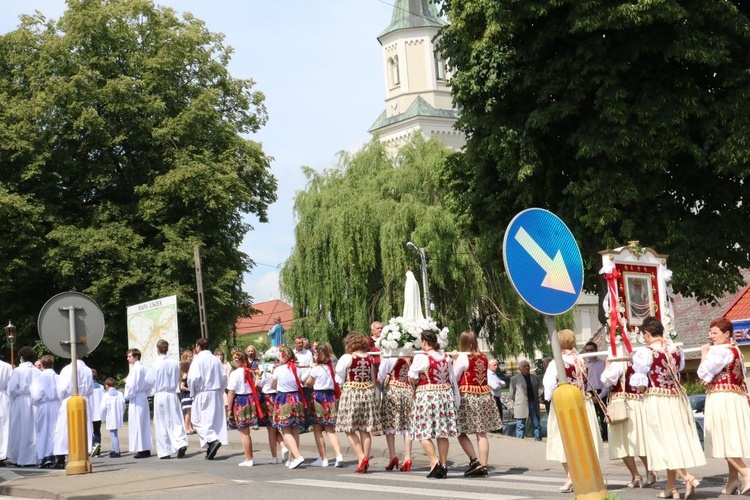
47,403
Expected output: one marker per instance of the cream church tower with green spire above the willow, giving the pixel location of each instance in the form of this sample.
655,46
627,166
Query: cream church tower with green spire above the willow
417,97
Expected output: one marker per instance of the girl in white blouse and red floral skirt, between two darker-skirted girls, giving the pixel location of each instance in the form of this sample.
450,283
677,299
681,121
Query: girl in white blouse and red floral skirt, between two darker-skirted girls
289,408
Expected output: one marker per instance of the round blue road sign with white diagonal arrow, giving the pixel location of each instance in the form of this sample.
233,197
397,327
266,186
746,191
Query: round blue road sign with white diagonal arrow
543,261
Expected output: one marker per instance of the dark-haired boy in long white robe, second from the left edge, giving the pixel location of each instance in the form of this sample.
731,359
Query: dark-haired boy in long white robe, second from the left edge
22,439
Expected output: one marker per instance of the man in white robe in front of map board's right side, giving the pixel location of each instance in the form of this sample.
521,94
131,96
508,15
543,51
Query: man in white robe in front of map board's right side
169,427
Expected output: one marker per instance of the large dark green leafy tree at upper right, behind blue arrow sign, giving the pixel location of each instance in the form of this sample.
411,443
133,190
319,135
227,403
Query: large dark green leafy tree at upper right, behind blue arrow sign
628,119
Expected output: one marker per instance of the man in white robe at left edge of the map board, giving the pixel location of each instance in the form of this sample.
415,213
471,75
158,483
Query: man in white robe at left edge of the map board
137,390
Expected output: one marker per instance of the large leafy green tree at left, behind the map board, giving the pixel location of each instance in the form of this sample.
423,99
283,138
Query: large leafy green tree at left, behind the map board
122,147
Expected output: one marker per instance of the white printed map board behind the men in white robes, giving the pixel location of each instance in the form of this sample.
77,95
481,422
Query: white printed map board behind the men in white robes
150,322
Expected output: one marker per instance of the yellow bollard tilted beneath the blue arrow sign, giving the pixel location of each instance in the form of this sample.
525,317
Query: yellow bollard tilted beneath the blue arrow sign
585,471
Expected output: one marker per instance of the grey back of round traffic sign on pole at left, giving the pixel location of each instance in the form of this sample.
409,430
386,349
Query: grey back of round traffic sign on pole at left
54,324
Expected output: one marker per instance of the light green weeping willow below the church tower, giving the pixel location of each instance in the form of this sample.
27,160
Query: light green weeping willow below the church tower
349,262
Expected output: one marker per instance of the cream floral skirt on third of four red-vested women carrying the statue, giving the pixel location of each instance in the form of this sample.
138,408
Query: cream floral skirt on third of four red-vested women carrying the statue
434,414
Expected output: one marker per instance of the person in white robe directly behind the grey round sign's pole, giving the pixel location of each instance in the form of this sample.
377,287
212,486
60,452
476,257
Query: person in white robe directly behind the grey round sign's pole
64,391
